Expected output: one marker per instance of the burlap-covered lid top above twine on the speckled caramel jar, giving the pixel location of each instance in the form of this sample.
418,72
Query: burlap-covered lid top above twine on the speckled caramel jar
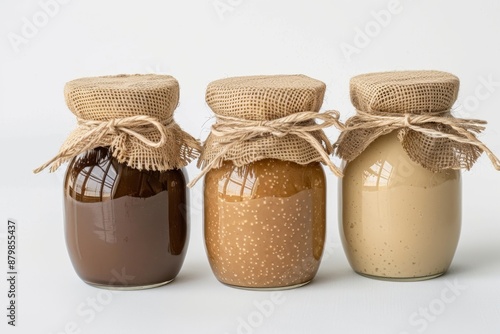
265,97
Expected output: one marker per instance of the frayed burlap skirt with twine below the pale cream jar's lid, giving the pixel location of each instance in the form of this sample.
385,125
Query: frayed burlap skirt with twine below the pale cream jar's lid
435,142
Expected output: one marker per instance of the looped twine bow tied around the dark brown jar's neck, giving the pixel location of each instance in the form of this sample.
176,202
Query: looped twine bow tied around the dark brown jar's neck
135,126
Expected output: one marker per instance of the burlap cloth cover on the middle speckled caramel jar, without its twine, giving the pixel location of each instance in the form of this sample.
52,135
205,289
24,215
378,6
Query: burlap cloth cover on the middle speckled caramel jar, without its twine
259,101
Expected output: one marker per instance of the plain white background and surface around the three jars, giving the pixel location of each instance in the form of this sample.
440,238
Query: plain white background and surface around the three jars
197,42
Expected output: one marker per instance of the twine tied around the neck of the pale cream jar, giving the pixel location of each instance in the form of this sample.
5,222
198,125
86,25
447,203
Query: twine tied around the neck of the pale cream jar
464,128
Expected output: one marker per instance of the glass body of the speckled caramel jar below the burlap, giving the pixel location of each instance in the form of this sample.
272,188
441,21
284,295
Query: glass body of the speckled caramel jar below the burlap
265,223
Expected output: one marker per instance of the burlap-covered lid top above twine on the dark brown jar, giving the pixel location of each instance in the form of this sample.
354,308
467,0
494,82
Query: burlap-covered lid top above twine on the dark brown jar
109,97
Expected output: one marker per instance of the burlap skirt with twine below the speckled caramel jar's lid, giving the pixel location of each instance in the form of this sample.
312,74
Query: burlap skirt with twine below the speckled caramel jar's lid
297,138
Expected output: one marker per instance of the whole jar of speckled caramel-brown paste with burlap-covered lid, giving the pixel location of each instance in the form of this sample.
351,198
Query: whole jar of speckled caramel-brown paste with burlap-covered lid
265,201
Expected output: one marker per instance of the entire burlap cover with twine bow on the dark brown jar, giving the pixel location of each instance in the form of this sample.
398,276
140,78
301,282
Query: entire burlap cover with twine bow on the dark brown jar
131,114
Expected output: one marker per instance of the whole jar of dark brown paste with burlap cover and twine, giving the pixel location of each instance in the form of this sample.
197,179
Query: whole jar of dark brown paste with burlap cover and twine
126,203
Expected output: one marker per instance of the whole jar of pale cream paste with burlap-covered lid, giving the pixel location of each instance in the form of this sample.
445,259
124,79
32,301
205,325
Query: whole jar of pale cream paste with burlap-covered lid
398,219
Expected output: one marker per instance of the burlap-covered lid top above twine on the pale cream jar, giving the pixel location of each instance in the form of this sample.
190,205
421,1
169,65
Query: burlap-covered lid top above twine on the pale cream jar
412,92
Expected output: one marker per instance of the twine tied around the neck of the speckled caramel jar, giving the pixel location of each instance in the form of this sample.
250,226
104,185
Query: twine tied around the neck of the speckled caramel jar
230,131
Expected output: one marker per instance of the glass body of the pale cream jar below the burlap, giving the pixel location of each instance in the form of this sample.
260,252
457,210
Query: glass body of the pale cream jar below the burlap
398,220
